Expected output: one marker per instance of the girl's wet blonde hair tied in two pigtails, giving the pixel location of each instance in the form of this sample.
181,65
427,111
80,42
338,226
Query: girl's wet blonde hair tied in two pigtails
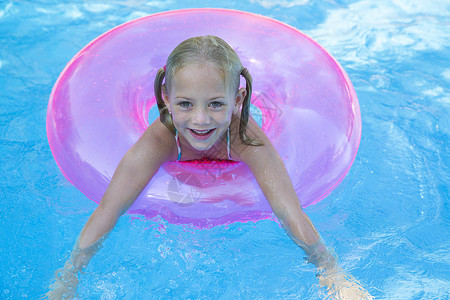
201,50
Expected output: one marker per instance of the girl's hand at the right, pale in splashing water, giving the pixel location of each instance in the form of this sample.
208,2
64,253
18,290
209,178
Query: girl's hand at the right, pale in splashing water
340,285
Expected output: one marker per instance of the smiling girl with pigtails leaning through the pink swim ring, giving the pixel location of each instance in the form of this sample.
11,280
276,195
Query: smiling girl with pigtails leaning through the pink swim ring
203,114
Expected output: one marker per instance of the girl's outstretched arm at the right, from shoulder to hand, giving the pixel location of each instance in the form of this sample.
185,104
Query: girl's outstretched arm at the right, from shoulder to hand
274,181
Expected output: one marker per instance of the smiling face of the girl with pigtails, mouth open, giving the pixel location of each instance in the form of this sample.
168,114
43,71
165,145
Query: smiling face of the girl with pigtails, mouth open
202,104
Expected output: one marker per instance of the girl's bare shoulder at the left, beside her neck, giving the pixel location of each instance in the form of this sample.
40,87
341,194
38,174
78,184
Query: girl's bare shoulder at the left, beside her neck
157,141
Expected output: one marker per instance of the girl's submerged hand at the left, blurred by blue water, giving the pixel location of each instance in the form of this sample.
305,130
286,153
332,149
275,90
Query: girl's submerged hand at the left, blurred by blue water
65,284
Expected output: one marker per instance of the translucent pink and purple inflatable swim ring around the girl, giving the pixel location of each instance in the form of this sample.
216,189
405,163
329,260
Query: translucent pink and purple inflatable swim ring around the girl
101,102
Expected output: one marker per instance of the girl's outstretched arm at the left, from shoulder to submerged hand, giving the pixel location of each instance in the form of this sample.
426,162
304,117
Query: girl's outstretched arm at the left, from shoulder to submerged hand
131,176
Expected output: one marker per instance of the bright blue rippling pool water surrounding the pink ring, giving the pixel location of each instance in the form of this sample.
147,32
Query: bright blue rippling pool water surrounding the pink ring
388,221
